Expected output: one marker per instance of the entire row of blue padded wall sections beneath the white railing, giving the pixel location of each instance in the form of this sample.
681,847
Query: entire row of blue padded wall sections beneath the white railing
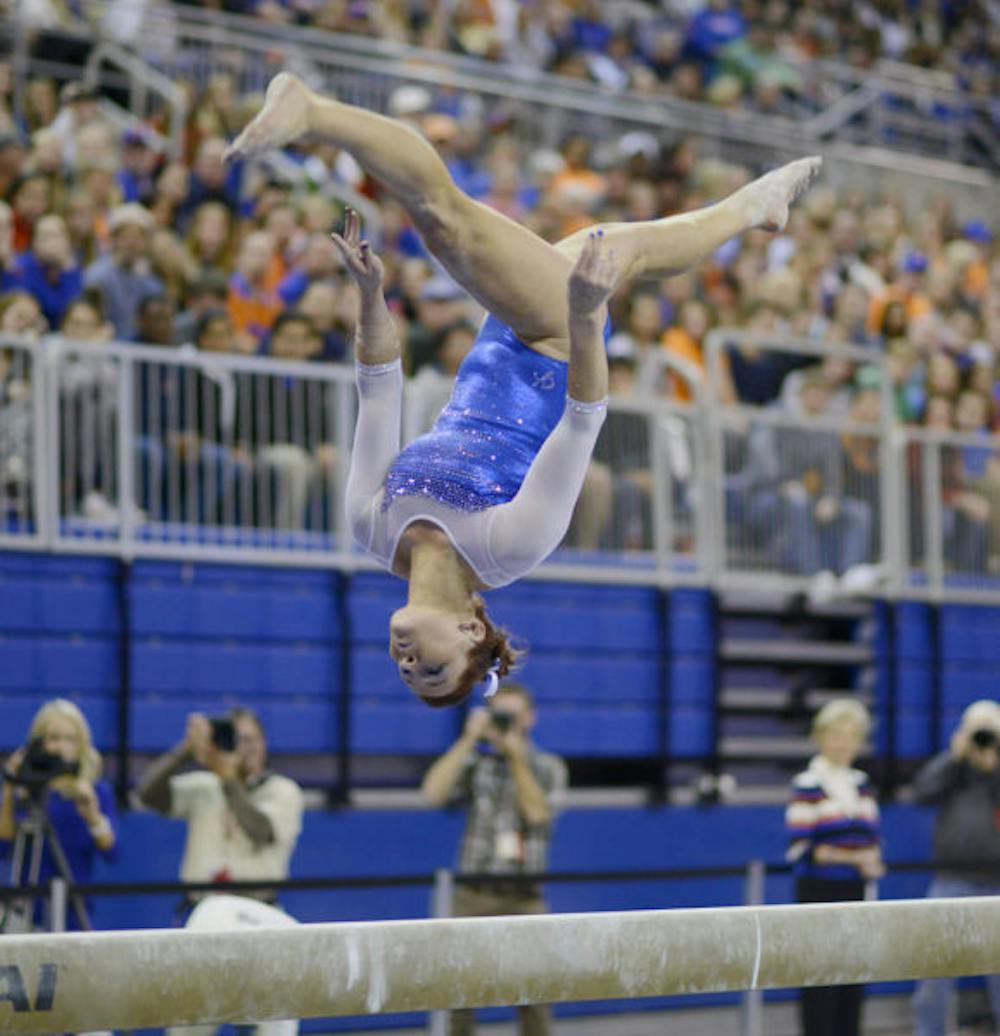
210,637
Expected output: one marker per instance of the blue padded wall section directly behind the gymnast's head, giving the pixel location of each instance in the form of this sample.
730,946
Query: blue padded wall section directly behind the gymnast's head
594,659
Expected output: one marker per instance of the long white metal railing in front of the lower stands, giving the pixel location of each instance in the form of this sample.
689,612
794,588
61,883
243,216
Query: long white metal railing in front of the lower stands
138,451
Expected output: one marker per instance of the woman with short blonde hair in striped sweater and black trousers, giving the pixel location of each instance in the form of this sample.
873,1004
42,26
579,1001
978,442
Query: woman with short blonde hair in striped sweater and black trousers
833,823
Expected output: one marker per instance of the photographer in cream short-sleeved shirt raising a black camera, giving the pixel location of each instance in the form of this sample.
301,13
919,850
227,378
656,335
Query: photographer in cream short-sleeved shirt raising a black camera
243,821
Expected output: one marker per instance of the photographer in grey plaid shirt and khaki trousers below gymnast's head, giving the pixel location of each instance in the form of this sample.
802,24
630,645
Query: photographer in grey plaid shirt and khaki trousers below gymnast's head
512,792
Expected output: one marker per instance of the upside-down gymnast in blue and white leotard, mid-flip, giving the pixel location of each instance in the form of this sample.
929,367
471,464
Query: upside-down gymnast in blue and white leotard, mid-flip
489,494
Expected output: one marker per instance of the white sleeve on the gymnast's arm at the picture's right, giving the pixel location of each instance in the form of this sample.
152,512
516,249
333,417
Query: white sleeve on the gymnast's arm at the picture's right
527,531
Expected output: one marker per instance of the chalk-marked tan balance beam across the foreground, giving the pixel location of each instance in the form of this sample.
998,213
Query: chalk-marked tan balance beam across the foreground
76,983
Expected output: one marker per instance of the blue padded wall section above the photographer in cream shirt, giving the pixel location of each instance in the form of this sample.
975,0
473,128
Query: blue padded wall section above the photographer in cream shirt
209,638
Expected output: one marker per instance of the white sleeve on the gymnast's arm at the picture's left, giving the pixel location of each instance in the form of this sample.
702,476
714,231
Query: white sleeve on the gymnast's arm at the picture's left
377,444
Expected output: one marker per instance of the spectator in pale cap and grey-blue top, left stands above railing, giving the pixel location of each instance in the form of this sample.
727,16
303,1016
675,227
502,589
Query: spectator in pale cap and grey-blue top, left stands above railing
125,276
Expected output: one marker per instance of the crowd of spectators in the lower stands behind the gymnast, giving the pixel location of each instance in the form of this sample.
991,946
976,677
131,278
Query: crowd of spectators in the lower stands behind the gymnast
104,235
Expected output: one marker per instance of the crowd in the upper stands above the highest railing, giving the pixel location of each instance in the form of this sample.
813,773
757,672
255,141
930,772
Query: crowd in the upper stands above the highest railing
732,53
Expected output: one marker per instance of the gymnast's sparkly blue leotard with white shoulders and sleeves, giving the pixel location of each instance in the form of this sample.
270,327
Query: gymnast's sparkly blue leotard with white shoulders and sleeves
500,472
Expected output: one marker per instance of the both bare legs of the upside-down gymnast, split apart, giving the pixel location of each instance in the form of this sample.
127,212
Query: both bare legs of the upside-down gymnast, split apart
511,272
